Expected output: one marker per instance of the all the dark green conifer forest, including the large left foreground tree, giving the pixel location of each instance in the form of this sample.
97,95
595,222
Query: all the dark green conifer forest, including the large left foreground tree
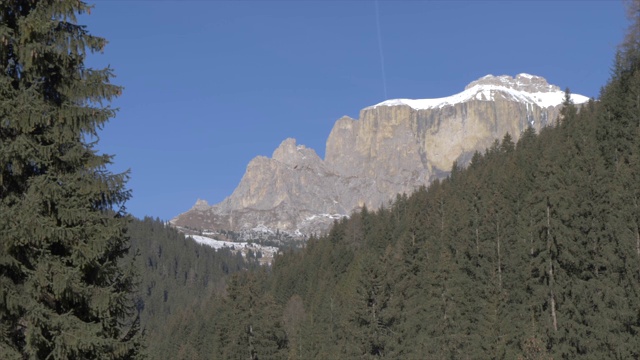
530,252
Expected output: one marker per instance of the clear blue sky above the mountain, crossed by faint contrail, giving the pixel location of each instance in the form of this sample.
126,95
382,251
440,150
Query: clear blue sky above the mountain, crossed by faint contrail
211,84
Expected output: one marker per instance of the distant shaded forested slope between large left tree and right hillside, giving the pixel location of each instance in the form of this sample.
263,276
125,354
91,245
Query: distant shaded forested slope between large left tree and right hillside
177,275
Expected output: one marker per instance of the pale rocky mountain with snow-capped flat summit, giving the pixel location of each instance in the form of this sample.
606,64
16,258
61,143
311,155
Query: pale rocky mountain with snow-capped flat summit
393,148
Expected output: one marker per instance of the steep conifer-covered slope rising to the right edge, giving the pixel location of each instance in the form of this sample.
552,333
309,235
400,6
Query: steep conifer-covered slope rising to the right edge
531,252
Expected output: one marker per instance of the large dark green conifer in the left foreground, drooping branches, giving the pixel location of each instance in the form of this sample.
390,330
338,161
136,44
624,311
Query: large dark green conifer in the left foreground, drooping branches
65,291
